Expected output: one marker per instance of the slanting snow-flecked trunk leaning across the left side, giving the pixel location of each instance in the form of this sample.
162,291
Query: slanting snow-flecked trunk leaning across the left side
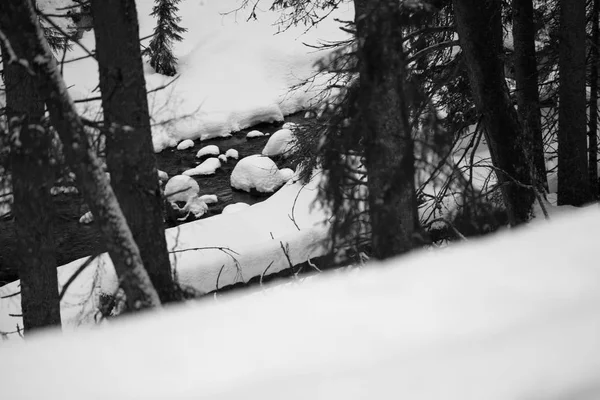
19,24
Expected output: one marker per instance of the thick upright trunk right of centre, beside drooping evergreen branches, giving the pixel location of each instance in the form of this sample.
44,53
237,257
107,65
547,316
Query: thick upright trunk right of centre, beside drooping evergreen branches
384,123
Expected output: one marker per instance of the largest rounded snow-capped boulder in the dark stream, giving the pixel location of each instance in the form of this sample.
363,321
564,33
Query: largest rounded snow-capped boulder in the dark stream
256,173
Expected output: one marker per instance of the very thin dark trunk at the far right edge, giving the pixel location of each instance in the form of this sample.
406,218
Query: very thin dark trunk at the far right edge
593,126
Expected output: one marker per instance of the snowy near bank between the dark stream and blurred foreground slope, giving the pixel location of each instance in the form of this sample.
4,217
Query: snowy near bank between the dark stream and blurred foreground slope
207,254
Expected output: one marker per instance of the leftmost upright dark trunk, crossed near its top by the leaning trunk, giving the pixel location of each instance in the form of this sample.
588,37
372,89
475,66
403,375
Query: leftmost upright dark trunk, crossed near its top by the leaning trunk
32,178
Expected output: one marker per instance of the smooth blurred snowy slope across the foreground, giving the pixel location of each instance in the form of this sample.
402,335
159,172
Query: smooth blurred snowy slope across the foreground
515,316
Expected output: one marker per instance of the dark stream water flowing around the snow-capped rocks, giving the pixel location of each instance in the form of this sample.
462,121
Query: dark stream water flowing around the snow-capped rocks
74,240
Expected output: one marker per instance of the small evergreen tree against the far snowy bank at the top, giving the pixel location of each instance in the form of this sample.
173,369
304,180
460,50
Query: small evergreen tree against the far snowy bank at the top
160,49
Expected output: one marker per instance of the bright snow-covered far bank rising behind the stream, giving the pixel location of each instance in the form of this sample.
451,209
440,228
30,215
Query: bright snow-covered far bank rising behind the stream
233,73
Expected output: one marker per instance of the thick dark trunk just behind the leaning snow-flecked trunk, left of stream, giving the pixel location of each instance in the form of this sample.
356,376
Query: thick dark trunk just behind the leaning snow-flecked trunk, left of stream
130,155
